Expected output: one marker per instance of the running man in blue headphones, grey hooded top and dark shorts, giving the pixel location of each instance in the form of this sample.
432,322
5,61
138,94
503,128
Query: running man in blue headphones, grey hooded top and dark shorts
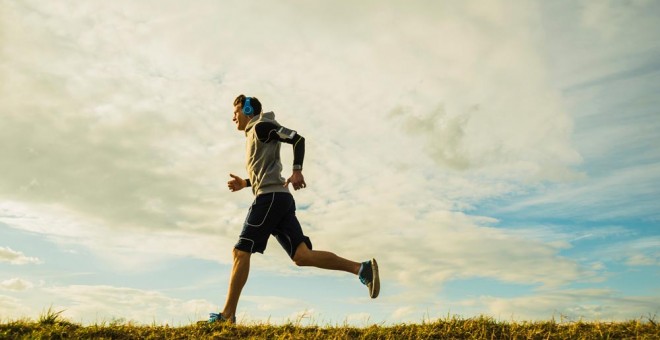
273,210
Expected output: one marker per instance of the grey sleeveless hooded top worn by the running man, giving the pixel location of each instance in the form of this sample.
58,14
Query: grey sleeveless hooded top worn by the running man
263,162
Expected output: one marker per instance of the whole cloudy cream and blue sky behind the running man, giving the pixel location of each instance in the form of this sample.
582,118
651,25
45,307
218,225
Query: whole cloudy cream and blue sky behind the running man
497,158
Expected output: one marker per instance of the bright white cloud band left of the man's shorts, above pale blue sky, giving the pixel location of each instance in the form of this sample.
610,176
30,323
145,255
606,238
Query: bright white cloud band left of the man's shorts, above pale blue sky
121,251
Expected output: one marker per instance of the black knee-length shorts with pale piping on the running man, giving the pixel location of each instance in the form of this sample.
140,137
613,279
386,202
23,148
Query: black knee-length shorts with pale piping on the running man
272,214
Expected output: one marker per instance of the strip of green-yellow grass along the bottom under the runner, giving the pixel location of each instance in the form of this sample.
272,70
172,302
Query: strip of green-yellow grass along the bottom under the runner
52,326
